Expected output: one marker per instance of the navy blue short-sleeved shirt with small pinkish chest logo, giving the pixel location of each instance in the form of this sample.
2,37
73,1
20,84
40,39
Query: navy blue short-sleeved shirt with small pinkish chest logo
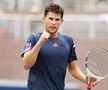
49,70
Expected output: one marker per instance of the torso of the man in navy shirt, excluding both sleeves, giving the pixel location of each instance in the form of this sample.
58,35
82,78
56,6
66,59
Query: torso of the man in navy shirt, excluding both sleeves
50,67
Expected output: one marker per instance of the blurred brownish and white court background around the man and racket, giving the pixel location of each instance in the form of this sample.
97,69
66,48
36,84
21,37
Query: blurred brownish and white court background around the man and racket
84,20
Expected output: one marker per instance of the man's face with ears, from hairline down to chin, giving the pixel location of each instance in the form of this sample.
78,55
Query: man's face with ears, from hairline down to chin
52,22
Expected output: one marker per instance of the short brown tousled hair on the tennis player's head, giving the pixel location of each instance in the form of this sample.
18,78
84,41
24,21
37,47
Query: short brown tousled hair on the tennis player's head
55,8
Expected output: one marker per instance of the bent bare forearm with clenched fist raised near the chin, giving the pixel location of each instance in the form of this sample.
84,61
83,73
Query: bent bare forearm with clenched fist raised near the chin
30,57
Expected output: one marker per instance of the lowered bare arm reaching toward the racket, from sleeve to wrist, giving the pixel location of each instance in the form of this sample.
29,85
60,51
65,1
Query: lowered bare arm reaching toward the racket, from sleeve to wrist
76,72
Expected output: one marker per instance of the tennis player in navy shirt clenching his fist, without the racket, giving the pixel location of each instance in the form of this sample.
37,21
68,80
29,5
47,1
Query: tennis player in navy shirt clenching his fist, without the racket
48,54
